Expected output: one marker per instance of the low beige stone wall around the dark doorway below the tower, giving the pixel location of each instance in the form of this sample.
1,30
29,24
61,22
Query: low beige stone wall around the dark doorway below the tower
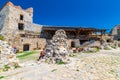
34,43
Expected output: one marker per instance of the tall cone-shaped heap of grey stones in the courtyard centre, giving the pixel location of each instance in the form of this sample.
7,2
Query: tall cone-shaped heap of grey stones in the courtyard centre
58,49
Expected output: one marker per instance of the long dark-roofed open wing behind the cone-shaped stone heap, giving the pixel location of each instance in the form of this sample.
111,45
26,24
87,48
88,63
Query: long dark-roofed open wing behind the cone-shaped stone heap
76,35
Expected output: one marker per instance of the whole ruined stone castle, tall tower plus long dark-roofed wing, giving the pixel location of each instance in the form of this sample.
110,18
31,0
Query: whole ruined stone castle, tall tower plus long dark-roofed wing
19,30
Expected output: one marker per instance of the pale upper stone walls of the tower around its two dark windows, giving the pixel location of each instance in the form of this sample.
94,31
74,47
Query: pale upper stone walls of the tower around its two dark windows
10,17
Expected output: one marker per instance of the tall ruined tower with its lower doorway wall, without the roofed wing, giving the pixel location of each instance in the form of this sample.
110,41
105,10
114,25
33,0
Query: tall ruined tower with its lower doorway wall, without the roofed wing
17,26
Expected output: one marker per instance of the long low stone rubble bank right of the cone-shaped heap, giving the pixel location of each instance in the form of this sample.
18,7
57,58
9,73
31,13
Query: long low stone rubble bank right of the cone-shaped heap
94,46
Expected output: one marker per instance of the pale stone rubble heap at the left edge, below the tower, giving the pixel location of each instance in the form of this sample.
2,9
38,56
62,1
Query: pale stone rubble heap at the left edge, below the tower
7,56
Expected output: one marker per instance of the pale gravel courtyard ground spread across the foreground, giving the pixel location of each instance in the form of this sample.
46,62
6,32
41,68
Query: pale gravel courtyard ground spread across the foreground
103,65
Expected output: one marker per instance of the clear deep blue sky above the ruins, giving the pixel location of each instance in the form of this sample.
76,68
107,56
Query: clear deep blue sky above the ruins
90,13
